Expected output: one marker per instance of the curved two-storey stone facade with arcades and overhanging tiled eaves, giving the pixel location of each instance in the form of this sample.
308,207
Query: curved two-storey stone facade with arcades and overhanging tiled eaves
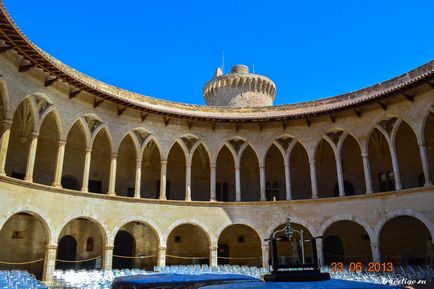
91,171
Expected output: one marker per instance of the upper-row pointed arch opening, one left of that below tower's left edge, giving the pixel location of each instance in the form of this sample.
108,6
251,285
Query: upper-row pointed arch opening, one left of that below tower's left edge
176,173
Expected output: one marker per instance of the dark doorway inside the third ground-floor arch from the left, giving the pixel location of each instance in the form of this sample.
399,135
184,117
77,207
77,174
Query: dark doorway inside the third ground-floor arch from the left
124,246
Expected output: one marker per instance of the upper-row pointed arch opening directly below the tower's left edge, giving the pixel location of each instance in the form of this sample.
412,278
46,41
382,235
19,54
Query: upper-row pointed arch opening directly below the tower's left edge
200,175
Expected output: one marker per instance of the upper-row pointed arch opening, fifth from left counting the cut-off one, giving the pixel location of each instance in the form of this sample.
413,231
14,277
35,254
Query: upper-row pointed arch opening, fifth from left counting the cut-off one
100,163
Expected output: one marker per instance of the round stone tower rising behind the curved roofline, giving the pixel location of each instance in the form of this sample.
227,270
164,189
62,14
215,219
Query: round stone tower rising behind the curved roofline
239,88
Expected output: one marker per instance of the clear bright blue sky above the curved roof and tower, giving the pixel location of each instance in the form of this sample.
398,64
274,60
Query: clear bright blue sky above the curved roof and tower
169,49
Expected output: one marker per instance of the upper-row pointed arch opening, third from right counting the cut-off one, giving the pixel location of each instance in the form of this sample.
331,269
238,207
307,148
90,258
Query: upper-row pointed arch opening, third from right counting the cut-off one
381,163
